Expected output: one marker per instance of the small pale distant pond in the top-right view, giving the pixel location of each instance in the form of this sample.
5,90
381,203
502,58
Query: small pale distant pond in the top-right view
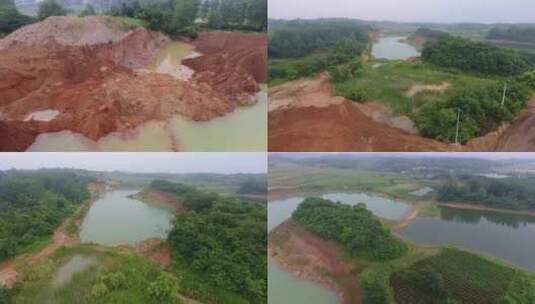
391,48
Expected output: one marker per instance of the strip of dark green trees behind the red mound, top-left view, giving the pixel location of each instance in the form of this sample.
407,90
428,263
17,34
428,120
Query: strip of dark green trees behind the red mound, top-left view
170,16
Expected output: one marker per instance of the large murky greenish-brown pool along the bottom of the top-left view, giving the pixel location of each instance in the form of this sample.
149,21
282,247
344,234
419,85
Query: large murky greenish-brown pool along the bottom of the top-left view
245,129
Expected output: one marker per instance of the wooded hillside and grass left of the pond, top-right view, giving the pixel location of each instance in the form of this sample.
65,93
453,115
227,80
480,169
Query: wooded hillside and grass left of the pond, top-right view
300,49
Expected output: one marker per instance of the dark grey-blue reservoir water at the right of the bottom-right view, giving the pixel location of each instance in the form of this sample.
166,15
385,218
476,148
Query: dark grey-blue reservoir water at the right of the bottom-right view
507,236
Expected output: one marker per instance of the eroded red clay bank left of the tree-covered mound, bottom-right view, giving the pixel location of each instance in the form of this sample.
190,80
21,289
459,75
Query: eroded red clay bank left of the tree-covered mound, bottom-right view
311,257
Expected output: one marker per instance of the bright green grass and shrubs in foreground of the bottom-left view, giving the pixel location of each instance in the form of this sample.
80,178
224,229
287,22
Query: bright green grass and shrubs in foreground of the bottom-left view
117,276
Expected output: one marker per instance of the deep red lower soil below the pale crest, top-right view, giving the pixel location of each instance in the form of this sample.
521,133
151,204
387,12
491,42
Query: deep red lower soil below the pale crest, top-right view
339,128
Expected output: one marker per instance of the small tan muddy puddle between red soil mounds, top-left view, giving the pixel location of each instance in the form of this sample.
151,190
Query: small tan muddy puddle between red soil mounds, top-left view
168,60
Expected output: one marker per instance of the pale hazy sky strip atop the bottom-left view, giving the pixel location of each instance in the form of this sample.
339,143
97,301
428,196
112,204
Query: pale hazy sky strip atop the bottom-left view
140,162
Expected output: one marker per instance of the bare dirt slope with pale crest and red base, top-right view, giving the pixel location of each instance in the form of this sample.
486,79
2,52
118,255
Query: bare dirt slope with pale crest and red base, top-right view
304,116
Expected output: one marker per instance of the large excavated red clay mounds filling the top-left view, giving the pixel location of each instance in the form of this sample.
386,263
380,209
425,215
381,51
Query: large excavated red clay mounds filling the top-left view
98,87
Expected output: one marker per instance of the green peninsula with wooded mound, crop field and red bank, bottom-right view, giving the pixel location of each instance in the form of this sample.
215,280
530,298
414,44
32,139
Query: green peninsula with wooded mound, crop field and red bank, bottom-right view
388,269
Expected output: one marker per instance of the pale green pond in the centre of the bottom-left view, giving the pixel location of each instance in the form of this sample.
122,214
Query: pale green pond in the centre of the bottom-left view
117,219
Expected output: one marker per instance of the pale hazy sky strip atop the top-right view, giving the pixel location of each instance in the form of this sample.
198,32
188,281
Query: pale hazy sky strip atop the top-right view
482,11
